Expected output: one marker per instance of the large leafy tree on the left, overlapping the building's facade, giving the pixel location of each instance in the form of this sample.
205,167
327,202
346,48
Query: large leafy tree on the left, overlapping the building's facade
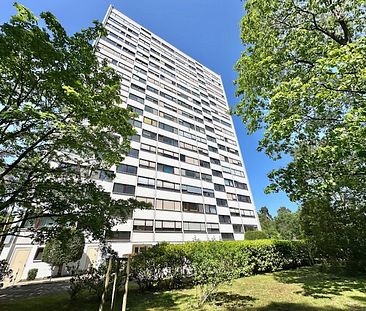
61,120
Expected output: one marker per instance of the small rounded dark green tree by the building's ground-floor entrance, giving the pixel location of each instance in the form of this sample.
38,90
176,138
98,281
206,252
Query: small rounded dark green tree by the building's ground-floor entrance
66,247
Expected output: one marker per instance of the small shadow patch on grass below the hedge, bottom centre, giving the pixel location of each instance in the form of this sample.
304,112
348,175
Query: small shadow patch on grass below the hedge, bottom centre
232,301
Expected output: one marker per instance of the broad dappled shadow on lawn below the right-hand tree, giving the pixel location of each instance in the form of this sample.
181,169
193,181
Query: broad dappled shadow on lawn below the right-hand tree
319,284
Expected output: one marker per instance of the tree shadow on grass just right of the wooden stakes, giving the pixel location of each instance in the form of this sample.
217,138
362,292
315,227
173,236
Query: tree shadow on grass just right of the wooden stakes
161,301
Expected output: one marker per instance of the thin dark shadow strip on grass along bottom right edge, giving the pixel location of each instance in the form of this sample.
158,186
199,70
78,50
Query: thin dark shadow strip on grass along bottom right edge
288,306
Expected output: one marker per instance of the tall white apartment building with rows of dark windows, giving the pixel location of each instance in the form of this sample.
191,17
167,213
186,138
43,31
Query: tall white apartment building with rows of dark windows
185,158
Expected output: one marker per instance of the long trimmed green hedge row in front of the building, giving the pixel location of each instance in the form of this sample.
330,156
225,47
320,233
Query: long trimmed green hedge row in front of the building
173,265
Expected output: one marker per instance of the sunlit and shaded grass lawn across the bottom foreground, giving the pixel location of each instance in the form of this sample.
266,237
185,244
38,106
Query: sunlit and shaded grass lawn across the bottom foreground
304,289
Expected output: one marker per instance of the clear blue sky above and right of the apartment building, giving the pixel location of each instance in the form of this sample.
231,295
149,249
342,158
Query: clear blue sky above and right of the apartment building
207,30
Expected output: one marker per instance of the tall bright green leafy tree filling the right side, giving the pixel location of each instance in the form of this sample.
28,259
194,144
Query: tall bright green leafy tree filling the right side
302,81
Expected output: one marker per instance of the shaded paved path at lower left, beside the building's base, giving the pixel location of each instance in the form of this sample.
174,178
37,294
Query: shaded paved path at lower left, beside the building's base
33,290
